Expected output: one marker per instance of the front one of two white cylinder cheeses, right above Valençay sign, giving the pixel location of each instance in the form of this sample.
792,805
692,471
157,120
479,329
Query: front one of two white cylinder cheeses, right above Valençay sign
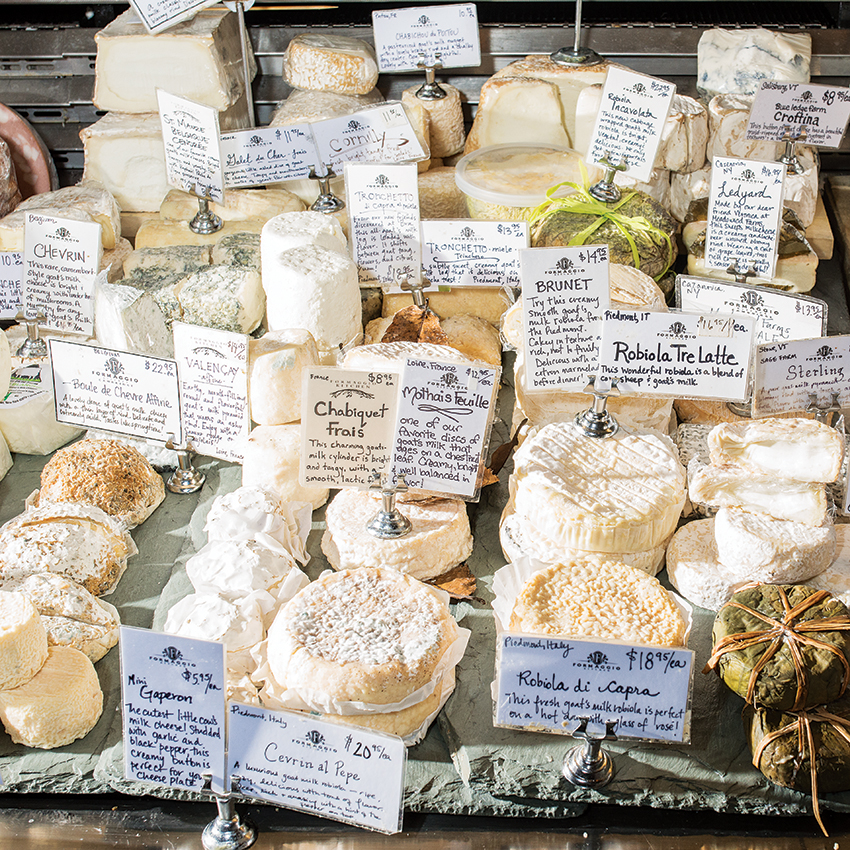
316,289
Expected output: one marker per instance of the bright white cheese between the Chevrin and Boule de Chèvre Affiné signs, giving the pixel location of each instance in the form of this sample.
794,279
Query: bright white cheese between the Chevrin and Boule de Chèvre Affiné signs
129,319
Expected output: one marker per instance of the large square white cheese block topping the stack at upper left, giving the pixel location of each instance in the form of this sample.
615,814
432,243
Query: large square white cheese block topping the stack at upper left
199,59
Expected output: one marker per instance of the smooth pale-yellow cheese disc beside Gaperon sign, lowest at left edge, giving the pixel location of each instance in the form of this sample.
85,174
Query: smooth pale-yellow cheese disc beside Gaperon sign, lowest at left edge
61,703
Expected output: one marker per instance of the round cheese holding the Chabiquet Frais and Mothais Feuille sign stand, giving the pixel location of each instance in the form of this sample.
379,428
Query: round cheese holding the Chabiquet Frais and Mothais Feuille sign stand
439,539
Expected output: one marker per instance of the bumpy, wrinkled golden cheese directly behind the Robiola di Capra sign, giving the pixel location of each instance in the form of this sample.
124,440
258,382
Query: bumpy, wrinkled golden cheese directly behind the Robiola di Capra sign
607,601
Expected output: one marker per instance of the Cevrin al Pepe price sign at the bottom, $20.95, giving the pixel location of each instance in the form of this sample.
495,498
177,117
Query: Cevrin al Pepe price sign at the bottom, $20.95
302,762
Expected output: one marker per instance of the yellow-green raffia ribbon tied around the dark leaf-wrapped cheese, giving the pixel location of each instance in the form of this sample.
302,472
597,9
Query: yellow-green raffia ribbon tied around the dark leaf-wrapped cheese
582,202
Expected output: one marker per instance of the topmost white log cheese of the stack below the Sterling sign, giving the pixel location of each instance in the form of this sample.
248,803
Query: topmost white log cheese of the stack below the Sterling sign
798,449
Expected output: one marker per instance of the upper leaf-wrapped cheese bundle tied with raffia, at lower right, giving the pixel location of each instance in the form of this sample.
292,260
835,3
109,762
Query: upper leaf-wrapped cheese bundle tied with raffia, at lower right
783,646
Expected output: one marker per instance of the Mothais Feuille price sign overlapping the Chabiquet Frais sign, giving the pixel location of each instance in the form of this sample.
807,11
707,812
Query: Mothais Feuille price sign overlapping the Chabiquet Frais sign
444,415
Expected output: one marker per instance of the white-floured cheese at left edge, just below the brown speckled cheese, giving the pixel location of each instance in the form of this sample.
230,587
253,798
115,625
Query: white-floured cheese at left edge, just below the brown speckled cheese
77,541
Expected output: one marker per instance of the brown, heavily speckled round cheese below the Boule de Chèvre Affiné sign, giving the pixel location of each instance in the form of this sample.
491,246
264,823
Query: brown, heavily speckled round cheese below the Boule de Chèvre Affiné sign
106,473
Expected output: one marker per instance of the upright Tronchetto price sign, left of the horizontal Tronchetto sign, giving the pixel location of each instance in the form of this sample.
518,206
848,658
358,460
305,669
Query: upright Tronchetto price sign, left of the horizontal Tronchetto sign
383,215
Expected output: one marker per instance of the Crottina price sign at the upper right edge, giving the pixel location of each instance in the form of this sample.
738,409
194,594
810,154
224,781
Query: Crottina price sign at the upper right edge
821,111
